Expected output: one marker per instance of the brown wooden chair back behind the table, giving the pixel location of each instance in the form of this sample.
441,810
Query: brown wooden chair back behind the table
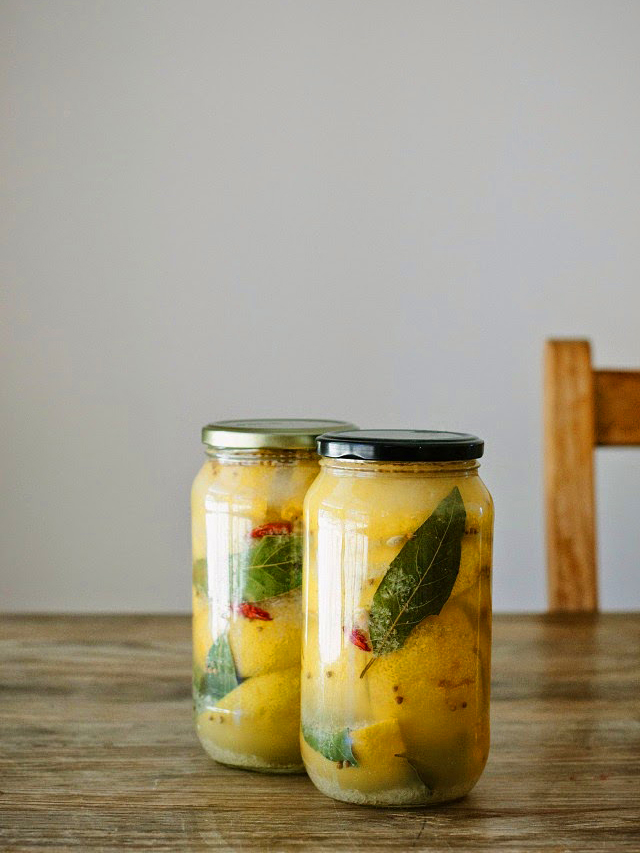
583,408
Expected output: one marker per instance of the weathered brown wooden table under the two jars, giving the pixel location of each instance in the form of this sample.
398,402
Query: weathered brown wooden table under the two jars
98,750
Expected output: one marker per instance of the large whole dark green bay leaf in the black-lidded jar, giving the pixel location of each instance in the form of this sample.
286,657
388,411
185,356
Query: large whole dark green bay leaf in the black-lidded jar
419,579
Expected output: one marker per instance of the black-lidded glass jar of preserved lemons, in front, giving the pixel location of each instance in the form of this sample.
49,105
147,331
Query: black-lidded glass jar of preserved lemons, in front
397,628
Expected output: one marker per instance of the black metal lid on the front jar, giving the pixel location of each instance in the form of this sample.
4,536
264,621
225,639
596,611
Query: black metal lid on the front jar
400,445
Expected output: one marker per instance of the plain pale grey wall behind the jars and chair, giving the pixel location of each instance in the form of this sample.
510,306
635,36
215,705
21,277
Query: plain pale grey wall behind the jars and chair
347,208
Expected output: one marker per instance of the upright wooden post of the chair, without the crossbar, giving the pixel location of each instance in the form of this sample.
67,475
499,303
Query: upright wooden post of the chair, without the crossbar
569,440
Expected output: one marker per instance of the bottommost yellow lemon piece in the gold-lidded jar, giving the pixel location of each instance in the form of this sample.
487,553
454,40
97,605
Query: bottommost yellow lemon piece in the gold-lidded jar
256,724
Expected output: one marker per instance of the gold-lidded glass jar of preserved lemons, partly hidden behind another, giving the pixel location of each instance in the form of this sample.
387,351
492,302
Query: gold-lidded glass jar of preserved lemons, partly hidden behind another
247,565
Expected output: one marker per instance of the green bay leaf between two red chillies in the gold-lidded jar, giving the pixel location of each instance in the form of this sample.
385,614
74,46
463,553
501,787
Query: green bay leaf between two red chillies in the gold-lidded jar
272,566
